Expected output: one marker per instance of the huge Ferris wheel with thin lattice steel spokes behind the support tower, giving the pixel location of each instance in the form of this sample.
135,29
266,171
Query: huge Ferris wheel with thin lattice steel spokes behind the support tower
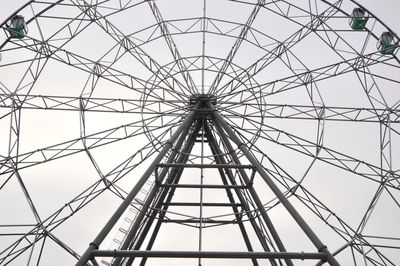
78,89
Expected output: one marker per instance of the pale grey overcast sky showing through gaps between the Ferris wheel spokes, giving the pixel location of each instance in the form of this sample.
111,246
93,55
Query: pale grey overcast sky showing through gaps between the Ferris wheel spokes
345,193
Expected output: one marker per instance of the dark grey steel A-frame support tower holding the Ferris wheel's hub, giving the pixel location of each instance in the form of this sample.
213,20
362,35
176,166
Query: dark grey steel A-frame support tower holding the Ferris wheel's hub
204,126
